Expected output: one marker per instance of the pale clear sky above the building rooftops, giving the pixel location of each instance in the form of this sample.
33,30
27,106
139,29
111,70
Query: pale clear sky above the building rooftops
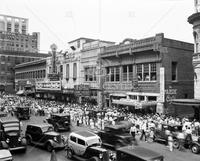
60,21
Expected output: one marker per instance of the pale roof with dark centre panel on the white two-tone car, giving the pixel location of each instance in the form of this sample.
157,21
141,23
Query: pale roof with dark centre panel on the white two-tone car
86,135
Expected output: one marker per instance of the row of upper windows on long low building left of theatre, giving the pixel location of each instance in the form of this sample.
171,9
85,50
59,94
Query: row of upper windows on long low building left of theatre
32,74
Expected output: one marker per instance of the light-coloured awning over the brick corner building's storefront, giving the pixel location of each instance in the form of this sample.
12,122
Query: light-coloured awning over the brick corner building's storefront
138,105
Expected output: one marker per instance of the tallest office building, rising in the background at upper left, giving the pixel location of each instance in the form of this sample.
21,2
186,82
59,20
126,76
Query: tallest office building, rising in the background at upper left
14,35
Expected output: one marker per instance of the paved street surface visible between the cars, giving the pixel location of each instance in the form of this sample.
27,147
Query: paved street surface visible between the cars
38,154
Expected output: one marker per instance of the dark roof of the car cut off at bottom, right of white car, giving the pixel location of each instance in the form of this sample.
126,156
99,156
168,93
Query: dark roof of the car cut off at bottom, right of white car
140,152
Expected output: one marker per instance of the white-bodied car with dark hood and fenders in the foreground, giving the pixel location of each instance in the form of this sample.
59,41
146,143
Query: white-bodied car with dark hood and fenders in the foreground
86,146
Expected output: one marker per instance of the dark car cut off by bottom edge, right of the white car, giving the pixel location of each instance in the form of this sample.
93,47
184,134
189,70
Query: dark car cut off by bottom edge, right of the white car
130,153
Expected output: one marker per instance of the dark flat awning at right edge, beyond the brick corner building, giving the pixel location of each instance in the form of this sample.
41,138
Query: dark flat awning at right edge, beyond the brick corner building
187,102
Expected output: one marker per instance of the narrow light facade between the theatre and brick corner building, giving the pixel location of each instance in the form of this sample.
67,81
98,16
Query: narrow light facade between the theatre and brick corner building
91,70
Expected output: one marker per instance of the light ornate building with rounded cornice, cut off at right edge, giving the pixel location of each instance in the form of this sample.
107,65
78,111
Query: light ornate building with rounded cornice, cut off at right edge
194,19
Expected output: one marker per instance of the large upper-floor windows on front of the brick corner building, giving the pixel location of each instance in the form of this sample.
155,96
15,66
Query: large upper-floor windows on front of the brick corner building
144,72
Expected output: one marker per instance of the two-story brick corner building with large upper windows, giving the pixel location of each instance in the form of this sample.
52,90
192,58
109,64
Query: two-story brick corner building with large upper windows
148,74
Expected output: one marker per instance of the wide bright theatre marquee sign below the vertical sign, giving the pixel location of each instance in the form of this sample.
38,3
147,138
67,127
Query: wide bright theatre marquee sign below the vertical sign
53,85
